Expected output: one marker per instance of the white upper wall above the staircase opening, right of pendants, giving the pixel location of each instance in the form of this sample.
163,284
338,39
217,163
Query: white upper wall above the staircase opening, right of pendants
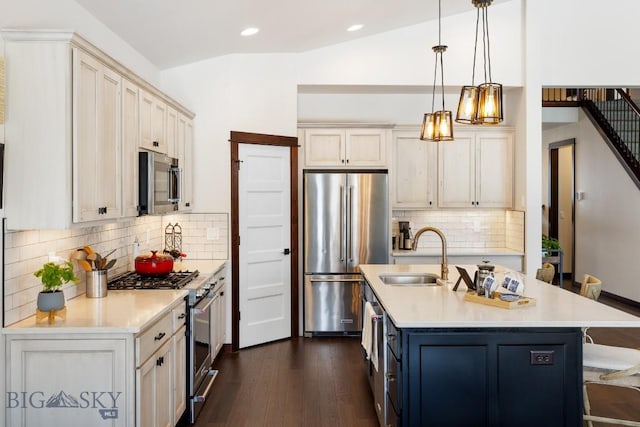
587,42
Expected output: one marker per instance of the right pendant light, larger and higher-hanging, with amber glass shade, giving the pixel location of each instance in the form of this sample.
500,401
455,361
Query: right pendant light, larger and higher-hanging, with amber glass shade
481,104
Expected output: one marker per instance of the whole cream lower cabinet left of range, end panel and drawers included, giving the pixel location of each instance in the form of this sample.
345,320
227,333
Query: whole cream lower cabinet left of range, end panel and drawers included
110,379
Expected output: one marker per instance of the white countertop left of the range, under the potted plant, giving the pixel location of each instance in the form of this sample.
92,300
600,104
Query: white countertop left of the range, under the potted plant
128,311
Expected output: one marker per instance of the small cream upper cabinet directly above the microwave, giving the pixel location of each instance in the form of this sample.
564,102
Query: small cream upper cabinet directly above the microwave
153,121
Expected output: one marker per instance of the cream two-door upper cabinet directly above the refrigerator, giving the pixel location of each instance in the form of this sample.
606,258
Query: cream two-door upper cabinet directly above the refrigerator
345,147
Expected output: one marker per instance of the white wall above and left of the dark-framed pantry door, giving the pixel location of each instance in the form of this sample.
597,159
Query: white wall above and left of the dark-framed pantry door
247,93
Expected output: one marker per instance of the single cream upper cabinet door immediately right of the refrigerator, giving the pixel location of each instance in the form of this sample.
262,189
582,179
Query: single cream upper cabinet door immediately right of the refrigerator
414,173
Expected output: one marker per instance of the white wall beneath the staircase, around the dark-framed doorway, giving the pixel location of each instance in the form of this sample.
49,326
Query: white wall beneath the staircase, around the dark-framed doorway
607,234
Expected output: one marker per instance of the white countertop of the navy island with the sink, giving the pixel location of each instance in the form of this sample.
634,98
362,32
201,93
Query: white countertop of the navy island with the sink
441,307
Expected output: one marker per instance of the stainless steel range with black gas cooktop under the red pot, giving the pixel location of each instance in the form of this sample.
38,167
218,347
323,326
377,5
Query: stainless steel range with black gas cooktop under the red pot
200,376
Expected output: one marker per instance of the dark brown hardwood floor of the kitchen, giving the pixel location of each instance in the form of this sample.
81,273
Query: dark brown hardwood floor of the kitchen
318,382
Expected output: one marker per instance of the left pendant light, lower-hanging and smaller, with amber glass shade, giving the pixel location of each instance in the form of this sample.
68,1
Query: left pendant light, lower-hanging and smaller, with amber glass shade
438,125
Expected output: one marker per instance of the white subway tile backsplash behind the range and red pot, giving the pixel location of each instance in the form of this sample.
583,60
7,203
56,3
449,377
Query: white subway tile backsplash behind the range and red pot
26,251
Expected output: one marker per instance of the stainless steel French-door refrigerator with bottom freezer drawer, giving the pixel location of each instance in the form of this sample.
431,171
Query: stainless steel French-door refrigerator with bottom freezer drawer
346,223
